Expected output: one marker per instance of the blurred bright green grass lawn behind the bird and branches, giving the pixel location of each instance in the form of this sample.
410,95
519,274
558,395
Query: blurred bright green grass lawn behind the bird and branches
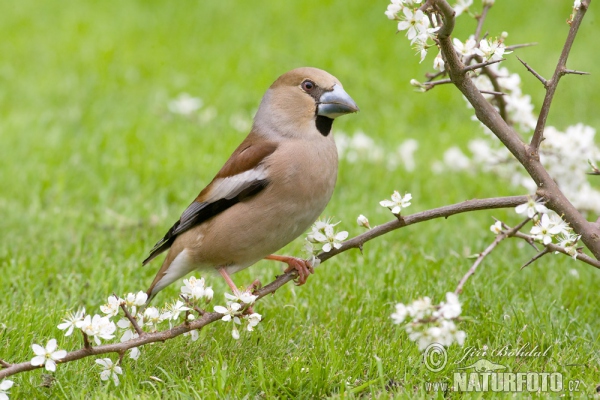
93,170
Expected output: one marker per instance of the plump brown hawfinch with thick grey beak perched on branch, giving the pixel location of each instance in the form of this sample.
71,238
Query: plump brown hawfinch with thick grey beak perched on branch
273,187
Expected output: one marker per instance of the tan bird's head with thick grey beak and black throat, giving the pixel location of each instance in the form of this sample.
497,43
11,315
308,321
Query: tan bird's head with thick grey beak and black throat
303,101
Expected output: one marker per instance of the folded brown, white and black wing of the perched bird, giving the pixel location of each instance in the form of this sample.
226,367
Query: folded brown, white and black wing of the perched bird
243,176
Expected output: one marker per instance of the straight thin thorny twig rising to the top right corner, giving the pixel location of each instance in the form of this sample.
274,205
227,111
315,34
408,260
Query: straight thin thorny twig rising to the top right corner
560,70
